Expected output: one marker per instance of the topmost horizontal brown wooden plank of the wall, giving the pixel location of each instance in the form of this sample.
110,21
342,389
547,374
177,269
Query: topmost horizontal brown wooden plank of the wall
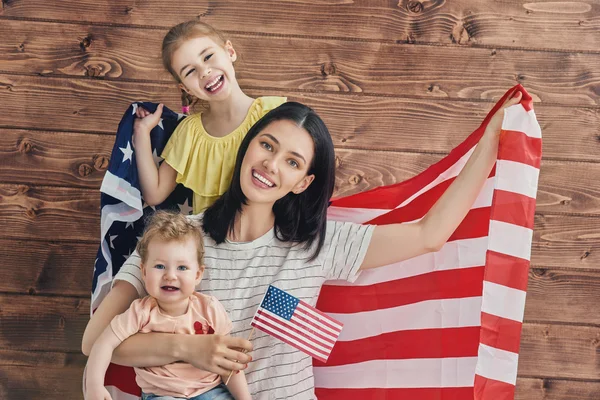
568,25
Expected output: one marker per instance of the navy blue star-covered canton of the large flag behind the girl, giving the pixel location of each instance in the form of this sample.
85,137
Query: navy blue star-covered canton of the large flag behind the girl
121,236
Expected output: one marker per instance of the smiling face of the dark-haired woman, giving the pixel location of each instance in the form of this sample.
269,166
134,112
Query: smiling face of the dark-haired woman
277,162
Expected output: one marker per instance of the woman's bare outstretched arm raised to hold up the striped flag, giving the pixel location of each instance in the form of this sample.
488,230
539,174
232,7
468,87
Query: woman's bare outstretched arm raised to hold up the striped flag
398,242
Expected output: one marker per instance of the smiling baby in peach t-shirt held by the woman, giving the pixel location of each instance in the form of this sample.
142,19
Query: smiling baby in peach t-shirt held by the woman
172,254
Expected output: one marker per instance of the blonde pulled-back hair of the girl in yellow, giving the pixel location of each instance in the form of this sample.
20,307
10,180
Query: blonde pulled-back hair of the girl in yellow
179,34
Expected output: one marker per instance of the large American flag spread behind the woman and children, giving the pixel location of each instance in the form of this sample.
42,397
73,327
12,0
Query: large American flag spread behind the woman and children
444,325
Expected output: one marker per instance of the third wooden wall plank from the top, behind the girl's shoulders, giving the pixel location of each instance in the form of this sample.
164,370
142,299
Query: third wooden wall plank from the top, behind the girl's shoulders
416,125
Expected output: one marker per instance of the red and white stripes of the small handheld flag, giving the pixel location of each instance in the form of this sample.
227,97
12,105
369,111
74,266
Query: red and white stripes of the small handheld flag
308,330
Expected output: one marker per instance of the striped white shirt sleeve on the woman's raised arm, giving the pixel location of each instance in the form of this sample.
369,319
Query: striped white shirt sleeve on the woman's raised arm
346,245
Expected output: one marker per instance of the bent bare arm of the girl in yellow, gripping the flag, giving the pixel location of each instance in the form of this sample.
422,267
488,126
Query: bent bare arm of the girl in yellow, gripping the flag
156,183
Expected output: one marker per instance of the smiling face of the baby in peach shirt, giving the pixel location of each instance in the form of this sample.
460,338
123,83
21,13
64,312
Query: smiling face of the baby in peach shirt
171,271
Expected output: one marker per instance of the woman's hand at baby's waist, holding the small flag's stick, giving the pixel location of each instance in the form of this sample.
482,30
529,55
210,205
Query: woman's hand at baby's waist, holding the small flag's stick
217,353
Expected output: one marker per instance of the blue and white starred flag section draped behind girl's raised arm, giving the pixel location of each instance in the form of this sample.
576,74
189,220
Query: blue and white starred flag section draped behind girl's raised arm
121,204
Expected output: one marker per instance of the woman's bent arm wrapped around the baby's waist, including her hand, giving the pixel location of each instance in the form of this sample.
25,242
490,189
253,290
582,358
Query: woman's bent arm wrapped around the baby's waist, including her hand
209,352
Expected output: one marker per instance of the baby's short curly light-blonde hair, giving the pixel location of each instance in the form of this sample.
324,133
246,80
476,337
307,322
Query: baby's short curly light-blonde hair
170,226
